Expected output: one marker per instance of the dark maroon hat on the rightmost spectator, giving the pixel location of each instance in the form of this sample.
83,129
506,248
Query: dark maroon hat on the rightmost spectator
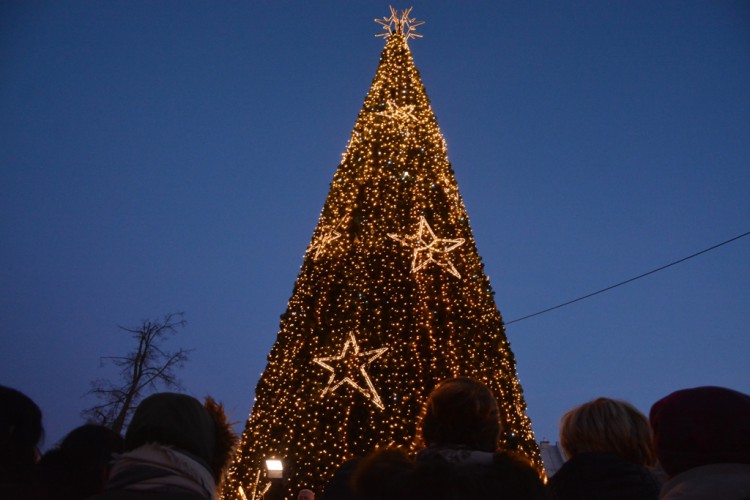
701,426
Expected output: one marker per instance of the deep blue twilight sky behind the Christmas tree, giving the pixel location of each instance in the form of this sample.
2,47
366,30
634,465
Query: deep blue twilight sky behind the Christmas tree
174,156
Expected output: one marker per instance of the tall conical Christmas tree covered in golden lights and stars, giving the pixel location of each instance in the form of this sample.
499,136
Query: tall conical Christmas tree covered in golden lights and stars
391,299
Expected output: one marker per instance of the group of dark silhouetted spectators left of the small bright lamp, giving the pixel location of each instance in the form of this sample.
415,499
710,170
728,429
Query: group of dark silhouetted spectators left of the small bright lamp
175,448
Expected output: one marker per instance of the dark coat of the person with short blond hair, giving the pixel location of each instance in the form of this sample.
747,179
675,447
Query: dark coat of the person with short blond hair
602,476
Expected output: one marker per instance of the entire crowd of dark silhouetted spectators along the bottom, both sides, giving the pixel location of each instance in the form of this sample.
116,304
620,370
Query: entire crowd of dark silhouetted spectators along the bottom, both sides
695,444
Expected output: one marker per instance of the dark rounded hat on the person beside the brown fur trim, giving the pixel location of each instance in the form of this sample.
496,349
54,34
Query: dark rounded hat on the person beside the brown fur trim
175,420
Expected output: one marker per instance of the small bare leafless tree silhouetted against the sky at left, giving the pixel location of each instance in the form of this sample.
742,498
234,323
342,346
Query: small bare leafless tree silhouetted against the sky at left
145,368
